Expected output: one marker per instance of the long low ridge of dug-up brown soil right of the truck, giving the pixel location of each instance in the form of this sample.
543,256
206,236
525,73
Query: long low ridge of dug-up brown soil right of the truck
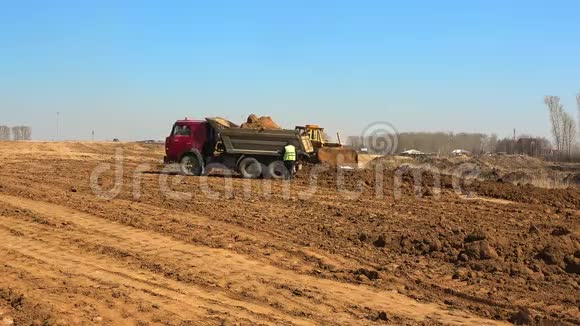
416,180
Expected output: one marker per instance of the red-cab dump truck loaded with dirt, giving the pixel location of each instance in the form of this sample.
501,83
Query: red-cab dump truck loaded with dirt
253,153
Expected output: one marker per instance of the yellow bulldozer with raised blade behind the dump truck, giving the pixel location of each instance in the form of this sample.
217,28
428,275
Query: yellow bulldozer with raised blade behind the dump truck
334,154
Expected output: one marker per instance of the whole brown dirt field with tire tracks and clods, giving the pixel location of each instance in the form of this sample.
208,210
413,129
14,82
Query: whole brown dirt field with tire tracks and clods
205,251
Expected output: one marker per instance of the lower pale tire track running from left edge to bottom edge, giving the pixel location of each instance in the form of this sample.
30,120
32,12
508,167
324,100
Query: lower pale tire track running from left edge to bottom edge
184,300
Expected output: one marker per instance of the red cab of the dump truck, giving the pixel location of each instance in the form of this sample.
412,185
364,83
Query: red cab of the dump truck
187,136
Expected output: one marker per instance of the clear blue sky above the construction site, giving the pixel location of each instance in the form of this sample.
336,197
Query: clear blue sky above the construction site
128,69
